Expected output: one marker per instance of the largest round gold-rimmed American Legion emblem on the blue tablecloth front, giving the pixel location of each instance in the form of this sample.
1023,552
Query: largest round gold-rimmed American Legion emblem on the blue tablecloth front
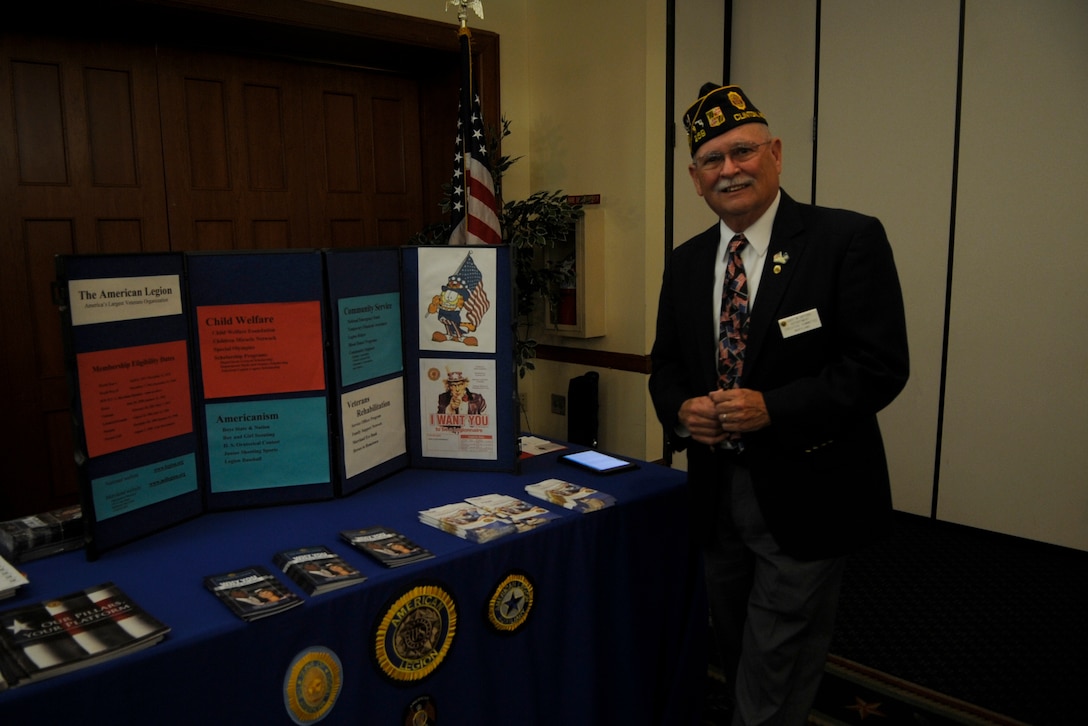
415,634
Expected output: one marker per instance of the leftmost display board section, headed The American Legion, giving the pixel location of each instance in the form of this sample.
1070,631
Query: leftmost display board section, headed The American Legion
127,323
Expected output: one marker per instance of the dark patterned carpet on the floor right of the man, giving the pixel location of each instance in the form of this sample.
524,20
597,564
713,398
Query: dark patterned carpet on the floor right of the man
942,624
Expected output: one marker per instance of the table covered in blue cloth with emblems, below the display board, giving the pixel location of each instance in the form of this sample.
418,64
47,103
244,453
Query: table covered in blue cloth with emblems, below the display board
616,634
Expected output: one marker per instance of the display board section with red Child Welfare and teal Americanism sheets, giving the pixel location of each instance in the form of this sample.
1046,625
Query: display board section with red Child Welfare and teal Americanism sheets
258,325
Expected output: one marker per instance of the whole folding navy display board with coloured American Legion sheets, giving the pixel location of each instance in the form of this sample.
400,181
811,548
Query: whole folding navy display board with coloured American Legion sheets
207,382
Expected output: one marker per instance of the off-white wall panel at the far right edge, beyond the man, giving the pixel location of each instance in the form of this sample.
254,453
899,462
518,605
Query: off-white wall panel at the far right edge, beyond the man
1017,415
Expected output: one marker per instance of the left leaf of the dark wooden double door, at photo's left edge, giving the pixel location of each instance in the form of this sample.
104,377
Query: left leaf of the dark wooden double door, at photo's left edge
76,177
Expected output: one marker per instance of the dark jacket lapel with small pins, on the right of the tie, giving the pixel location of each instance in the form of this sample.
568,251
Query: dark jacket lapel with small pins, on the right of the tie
784,257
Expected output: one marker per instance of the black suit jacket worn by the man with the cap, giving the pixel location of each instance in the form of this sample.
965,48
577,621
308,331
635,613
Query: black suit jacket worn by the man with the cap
820,470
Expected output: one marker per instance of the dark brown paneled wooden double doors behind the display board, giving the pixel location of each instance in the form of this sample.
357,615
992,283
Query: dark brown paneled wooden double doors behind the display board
131,147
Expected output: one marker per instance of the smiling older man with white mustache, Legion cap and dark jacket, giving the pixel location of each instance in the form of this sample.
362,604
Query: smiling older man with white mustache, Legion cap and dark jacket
776,401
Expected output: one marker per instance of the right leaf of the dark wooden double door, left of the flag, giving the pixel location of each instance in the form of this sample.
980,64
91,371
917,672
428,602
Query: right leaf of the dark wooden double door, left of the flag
239,147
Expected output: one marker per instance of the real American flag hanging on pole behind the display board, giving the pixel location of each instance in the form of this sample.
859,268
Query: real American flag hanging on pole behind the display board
474,206
